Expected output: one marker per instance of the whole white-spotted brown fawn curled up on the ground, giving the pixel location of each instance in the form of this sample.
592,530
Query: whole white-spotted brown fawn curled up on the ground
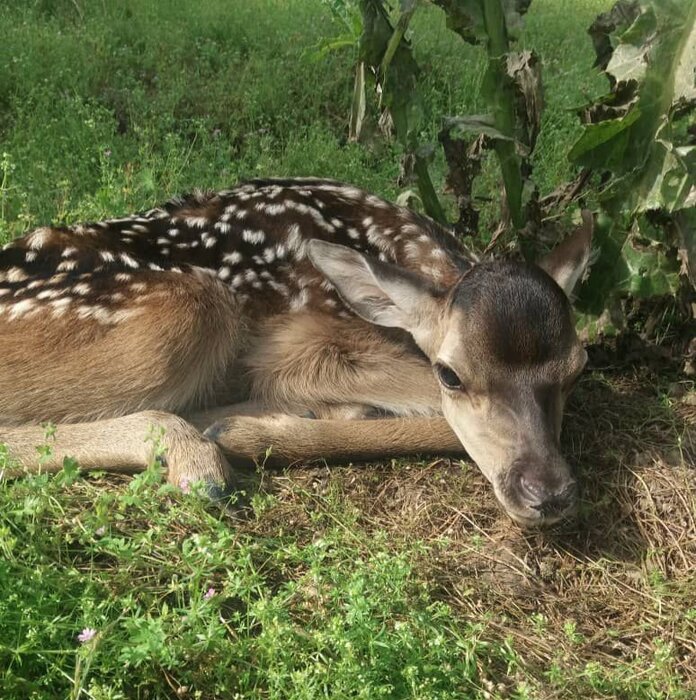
275,314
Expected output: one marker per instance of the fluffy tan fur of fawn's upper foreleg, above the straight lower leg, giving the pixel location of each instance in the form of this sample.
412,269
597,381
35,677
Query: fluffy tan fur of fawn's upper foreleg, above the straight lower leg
314,361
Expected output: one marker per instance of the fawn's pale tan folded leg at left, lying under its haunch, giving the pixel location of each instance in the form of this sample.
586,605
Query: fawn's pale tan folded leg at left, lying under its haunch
125,444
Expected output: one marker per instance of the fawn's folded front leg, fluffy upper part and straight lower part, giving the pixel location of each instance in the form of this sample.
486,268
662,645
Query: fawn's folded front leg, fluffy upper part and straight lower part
336,368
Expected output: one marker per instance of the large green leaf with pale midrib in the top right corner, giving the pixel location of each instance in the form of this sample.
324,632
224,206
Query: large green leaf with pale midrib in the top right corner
652,71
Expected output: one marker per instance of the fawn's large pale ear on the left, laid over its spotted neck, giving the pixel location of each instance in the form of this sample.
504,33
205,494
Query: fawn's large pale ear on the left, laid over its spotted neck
380,293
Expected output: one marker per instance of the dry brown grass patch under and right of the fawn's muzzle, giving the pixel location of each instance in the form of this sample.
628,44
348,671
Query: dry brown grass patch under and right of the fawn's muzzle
617,585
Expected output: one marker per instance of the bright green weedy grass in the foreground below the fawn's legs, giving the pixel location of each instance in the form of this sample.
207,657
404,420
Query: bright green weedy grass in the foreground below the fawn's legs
181,599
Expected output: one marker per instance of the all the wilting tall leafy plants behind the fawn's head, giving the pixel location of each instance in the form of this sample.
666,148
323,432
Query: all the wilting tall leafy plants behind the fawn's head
639,139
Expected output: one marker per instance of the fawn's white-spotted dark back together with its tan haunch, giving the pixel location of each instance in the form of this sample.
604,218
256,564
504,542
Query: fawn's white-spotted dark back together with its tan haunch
208,271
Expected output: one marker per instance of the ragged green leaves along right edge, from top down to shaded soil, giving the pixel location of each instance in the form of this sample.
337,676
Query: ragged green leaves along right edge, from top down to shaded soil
641,138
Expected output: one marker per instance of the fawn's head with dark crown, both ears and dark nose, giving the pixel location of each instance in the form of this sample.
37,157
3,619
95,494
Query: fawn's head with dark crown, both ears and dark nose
504,350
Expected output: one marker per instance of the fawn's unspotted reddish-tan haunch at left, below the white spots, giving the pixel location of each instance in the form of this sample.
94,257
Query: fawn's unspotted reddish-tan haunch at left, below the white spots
172,354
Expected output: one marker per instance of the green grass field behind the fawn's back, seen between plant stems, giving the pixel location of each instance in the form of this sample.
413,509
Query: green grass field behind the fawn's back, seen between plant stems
109,107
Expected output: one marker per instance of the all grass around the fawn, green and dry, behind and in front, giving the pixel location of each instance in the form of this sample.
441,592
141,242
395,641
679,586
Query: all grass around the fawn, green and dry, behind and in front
397,581
